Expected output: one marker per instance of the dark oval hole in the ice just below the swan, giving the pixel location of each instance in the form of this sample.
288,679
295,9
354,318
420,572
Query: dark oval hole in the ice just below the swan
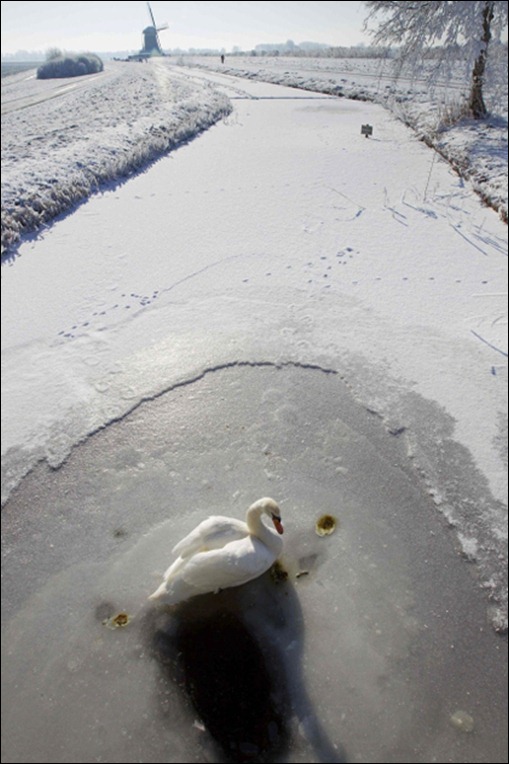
224,673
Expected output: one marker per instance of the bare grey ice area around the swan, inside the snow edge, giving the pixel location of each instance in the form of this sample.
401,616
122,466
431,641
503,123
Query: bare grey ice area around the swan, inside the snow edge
366,657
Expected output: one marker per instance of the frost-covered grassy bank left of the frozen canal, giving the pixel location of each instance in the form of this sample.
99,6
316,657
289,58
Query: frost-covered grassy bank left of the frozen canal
62,139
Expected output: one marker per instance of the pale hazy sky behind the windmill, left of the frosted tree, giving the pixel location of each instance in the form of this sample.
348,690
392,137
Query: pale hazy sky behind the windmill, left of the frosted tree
111,26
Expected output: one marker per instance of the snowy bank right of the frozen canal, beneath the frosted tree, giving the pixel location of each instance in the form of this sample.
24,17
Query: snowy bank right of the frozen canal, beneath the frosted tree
476,150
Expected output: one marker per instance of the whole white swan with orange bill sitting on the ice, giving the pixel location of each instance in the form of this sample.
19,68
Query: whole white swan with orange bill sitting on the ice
222,552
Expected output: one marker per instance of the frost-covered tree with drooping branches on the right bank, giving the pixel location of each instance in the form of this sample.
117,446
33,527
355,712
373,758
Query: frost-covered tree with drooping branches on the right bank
445,28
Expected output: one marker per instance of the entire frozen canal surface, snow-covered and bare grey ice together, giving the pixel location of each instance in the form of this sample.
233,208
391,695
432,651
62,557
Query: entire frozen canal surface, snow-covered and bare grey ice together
281,307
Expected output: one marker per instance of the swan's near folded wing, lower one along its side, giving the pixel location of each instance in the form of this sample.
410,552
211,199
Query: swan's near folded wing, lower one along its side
232,565
